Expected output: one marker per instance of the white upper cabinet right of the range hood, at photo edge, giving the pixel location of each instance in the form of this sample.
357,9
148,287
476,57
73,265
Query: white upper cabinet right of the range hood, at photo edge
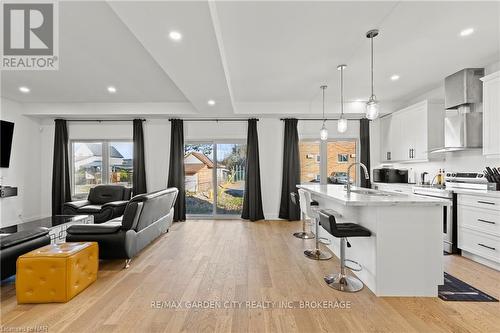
491,114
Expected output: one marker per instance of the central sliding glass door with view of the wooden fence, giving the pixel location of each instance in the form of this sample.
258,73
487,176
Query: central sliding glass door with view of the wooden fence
215,178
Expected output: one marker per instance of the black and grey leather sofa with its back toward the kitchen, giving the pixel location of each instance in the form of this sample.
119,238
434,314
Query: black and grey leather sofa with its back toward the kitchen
146,217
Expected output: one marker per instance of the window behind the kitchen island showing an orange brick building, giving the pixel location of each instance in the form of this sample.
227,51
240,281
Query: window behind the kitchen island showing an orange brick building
327,160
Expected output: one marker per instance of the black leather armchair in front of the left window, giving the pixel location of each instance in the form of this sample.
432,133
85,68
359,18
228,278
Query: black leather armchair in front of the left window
105,202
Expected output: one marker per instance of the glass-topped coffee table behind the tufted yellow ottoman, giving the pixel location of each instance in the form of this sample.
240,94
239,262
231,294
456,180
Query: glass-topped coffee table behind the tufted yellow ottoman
56,224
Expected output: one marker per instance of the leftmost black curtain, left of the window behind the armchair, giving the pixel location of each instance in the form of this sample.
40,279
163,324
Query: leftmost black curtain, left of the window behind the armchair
61,191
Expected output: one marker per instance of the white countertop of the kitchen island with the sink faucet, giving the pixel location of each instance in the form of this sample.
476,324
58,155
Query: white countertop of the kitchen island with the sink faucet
339,194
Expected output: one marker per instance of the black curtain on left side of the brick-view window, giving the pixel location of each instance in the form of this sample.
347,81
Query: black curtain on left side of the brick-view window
291,171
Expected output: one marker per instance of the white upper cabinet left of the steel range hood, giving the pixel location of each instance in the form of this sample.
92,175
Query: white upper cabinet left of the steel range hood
408,134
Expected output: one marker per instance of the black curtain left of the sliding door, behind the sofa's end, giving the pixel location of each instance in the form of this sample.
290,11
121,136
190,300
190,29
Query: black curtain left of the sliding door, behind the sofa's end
176,167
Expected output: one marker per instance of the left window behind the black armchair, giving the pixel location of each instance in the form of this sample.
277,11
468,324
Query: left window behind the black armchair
100,162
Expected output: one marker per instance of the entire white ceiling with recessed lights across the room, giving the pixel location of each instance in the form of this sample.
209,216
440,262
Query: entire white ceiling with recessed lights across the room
258,57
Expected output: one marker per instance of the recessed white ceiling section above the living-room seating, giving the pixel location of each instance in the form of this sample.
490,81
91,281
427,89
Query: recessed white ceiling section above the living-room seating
96,50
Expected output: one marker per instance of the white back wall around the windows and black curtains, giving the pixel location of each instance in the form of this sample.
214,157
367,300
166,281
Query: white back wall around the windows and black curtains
157,144
